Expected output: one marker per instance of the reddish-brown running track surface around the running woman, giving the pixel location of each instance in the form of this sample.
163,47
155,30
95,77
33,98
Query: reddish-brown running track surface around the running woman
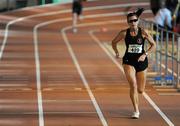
65,97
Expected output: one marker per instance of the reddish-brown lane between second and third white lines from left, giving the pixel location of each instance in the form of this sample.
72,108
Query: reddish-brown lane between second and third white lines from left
62,75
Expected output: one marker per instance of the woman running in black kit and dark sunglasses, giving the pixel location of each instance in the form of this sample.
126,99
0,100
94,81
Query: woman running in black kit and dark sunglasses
135,61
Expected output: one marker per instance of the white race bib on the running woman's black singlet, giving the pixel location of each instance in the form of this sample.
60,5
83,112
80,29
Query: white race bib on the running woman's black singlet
135,48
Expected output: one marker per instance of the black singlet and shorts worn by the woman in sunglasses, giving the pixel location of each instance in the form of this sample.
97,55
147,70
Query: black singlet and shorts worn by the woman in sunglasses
134,49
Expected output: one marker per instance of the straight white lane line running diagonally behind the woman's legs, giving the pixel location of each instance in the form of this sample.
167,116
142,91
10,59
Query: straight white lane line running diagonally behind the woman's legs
151,102
